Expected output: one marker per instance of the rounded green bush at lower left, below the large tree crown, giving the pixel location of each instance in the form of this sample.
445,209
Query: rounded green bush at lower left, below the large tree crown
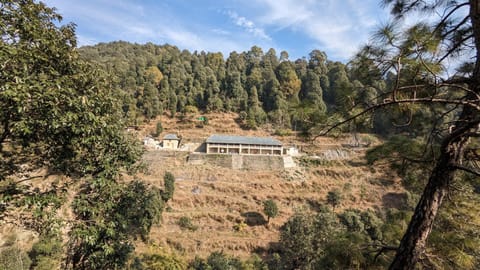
113,216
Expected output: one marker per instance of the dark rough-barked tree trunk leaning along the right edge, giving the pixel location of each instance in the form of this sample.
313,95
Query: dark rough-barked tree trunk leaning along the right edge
413,243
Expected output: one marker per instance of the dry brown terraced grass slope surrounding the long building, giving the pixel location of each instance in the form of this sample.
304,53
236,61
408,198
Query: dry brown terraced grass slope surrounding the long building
216,199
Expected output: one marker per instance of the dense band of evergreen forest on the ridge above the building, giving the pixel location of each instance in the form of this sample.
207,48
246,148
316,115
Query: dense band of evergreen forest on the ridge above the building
260,86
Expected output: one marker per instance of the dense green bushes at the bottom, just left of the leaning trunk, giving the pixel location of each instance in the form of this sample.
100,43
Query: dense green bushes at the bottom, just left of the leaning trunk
350,240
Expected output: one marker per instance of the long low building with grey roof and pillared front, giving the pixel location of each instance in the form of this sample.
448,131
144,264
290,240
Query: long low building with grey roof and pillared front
227,144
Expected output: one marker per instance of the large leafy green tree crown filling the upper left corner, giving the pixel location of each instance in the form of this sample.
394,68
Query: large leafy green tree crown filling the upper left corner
54,105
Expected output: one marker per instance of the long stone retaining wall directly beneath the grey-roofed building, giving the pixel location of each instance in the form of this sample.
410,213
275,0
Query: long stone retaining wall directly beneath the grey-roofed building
250,162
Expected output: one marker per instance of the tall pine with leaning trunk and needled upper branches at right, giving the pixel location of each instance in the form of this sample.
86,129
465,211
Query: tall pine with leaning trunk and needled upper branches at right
414,57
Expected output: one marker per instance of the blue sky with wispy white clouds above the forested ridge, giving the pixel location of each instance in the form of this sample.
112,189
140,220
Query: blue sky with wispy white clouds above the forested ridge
338,27
